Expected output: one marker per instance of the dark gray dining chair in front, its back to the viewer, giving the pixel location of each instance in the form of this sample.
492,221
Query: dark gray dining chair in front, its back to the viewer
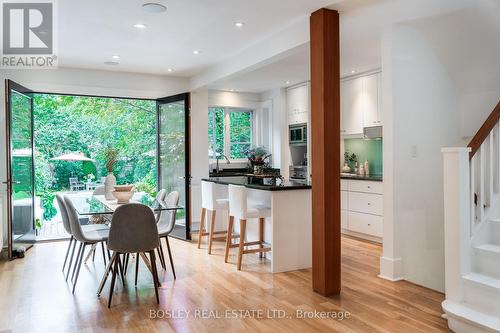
133,230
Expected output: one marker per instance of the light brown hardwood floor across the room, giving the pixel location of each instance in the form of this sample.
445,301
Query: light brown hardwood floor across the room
35,298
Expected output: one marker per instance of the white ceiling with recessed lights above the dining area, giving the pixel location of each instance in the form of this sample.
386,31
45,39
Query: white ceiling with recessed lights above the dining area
91,31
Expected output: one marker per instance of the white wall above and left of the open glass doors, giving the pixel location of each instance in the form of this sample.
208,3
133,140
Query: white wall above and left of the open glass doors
79,81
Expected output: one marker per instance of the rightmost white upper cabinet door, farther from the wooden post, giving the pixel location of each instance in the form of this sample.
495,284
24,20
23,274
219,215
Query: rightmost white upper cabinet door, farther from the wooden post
372,111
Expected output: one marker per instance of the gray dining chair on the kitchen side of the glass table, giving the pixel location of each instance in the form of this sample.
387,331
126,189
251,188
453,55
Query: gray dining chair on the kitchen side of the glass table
166,224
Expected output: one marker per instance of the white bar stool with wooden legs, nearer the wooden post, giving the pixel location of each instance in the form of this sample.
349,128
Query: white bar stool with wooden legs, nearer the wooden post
238,209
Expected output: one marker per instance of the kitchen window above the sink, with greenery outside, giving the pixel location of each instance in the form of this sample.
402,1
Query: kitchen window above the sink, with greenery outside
230,132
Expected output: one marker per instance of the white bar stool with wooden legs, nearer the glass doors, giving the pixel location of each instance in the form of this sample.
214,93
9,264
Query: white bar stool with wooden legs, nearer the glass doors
210,203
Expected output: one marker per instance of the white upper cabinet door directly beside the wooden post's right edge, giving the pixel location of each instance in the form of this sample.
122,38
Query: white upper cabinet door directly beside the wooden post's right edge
351,106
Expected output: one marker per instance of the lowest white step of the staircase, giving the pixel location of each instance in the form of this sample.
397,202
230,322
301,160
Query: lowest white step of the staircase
474,318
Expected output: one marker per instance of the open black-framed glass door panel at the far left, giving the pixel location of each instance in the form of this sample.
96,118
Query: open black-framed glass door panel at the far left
20,168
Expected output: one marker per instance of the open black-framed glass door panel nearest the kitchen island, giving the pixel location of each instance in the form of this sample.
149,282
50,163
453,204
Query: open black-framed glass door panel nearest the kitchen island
173,151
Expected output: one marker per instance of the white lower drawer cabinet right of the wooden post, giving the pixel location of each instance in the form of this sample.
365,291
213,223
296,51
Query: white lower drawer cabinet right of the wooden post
362,208
